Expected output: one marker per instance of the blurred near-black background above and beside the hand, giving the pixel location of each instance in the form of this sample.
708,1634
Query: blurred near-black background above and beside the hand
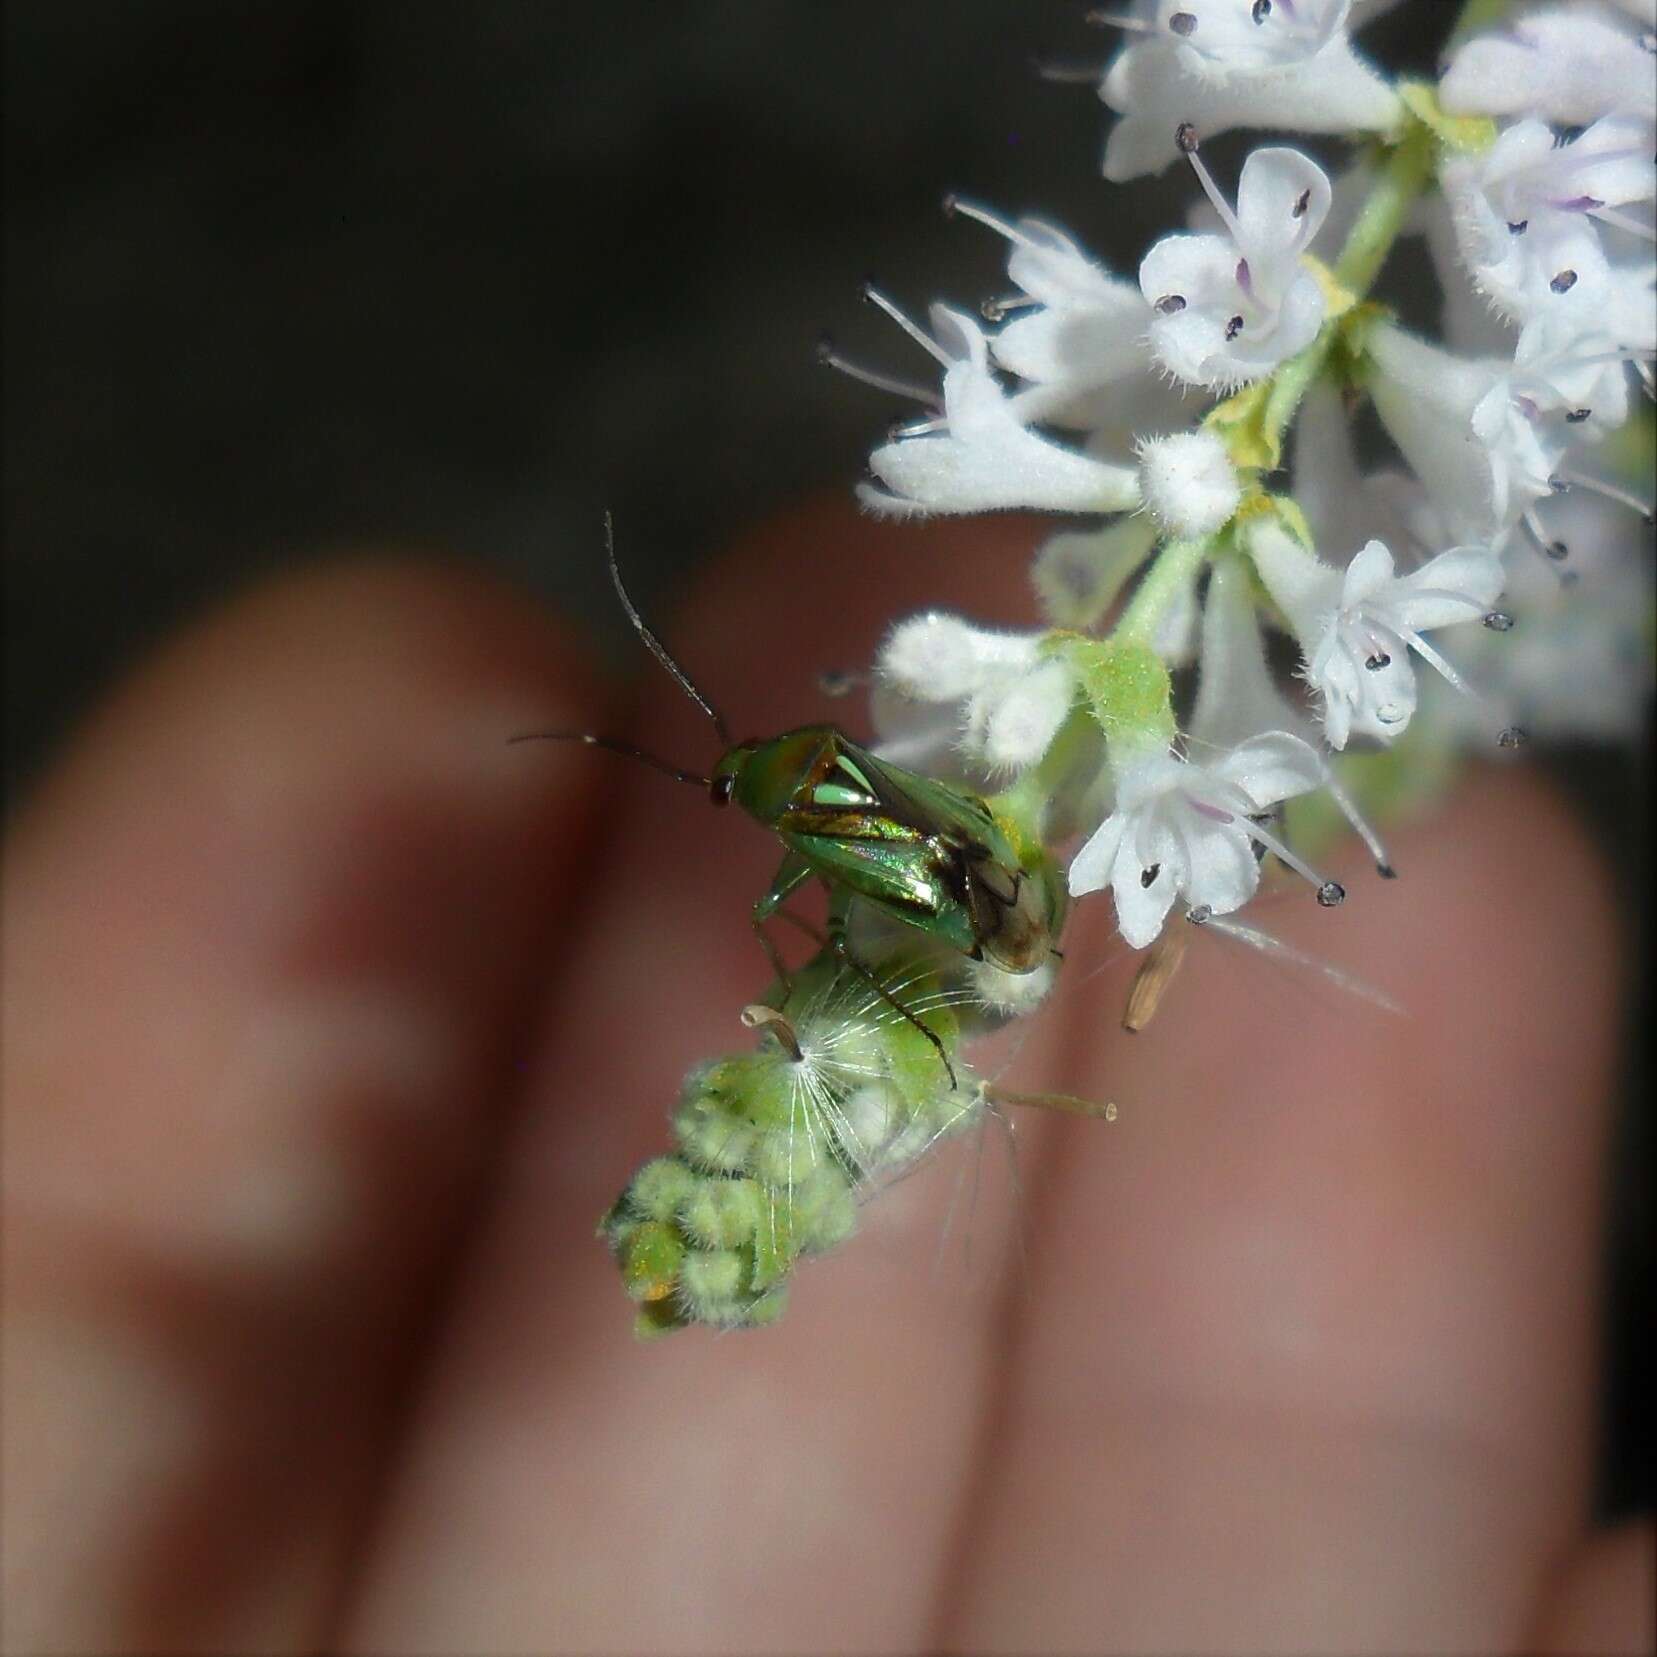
289,278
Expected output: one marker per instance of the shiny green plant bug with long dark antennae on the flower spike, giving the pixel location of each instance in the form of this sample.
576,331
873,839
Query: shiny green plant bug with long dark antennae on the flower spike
917,851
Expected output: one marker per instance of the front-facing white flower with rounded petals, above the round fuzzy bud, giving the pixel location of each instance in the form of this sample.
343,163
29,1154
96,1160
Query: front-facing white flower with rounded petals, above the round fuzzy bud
1234,307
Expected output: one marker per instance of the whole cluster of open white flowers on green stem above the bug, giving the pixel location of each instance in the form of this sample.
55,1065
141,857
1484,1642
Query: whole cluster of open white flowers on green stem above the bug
1164,408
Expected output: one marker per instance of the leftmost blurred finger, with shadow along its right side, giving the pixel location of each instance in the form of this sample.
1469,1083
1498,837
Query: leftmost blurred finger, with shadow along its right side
271,934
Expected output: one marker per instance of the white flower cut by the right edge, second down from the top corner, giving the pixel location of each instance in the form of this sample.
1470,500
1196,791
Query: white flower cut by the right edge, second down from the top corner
1525,216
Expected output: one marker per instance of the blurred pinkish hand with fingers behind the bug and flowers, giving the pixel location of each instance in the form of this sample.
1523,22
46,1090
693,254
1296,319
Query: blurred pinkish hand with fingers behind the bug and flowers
332,1023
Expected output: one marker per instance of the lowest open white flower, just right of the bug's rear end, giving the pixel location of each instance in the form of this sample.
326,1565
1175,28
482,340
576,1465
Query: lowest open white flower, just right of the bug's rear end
1191,831
